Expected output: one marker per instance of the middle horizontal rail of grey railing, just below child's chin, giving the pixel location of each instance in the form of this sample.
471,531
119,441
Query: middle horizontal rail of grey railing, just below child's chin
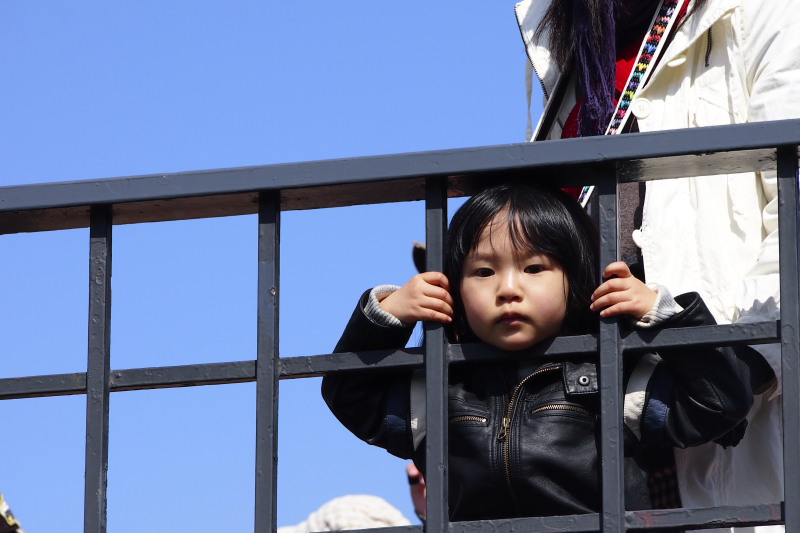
319,365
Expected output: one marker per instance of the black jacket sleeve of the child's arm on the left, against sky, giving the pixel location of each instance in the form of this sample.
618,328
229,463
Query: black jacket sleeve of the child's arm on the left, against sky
372,404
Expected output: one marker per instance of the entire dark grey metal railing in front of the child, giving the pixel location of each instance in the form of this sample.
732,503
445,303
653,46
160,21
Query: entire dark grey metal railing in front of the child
432,176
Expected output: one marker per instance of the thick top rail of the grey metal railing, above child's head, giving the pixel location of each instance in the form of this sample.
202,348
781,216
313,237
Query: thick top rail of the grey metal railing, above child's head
393,178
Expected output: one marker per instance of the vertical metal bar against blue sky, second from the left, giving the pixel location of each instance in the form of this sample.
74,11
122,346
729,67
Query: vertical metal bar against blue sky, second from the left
267,363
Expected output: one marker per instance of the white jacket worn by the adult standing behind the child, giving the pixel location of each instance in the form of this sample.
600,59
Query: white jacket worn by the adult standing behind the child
730,61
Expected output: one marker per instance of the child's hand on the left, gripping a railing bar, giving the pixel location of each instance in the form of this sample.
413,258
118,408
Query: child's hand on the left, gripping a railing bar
425,297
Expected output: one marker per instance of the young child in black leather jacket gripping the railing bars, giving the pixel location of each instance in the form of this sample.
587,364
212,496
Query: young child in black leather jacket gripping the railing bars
520,268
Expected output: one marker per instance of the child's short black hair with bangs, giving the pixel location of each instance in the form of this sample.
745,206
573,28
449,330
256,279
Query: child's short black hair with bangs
541,219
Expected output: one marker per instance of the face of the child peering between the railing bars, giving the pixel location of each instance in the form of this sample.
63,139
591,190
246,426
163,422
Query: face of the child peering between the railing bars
513,299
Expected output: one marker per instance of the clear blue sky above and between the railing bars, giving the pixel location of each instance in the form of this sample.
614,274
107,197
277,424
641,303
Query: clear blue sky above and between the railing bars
97,89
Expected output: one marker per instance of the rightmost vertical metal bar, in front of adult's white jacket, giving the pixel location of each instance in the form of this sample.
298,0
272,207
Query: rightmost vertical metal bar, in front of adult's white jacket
790,332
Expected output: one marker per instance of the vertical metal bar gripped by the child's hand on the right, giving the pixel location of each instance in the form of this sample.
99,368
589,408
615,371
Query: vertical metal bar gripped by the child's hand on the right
612,444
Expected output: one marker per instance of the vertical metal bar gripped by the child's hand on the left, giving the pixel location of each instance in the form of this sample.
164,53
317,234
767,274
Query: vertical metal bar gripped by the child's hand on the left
436,377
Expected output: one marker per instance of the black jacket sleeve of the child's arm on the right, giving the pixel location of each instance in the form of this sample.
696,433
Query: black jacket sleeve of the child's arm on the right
700,394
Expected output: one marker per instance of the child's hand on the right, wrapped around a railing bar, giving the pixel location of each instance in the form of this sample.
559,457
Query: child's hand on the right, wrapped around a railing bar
623,294
